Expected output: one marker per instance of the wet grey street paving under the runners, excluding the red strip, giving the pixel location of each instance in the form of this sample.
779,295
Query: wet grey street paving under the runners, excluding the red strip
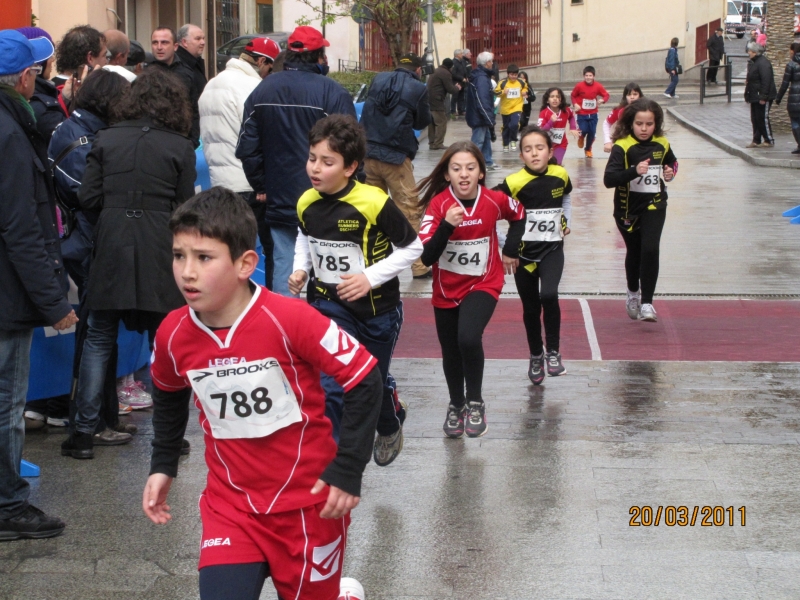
541,506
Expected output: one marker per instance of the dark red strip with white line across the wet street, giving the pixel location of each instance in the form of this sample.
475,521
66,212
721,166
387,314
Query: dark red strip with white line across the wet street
693,330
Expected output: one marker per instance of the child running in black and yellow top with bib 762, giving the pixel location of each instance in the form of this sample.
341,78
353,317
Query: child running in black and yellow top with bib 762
544,190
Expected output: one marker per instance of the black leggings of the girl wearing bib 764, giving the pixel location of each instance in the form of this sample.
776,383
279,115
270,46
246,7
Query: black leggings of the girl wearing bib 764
460,332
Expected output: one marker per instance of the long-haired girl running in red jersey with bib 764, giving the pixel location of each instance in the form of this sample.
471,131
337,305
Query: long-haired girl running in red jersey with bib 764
459,232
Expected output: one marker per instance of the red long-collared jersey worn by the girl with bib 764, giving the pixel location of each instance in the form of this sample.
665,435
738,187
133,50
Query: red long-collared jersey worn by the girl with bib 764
471,262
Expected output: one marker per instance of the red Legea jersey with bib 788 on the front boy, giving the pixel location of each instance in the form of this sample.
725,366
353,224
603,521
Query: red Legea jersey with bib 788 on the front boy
262,408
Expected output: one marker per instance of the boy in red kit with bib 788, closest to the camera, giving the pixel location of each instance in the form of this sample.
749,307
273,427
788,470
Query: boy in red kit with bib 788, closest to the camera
253,360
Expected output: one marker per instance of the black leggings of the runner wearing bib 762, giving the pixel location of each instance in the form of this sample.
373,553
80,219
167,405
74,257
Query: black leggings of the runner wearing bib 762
534,301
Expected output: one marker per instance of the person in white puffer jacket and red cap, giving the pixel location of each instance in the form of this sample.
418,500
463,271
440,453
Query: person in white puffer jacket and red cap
221,111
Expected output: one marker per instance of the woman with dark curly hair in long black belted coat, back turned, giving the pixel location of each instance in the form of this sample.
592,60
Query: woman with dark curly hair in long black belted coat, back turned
138,171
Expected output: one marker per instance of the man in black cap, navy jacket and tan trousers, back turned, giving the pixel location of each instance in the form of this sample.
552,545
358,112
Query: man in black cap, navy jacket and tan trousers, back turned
396,105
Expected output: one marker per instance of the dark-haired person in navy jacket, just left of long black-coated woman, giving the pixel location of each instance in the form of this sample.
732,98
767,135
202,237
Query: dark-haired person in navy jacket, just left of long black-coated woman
71,142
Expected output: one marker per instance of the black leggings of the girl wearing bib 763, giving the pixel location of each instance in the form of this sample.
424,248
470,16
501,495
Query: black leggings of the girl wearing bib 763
641,260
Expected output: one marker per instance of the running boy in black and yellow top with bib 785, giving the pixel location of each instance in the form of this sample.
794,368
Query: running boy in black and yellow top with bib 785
346,238
